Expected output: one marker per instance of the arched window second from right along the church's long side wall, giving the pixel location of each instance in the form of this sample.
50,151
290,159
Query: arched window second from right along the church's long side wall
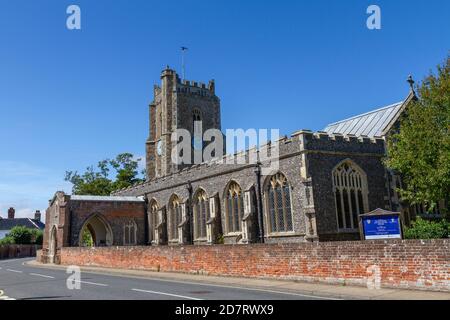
234,204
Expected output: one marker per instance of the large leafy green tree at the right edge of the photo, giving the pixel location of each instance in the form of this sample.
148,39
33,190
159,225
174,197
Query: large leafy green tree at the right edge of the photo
420,150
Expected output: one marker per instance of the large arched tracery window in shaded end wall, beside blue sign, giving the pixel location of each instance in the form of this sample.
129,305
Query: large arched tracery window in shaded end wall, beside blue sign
350,194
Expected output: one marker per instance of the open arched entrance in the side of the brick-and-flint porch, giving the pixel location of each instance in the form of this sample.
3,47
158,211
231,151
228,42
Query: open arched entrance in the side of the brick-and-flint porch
96,232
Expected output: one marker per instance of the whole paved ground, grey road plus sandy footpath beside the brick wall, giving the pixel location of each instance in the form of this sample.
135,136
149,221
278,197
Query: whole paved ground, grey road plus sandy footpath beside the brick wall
28,279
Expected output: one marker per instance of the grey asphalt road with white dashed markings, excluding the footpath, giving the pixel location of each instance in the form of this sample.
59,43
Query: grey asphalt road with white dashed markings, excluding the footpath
20,281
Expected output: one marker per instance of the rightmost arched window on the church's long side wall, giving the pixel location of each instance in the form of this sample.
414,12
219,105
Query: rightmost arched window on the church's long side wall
278,195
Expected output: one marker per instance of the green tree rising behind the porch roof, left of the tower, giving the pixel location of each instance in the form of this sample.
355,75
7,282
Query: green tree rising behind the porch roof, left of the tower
98,182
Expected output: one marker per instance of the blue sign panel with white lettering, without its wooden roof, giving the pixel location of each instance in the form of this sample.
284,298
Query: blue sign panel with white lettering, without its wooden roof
382,227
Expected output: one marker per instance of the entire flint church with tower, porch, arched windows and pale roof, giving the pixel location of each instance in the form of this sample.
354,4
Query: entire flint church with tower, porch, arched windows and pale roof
324,180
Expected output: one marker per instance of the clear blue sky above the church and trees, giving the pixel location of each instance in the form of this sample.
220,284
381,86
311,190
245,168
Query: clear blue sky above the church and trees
71,98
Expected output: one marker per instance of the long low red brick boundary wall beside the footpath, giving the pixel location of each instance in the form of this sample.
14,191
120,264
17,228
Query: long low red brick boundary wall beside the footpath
408,264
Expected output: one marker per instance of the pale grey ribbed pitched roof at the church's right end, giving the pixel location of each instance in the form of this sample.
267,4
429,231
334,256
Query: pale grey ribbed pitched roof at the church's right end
371,124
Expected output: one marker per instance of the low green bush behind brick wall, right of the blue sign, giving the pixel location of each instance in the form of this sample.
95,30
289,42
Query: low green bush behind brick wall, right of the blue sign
424,229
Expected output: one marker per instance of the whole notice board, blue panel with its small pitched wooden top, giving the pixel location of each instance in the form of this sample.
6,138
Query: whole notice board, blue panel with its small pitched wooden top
380,224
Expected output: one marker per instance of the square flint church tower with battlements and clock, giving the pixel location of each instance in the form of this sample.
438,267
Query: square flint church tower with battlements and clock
176,105
